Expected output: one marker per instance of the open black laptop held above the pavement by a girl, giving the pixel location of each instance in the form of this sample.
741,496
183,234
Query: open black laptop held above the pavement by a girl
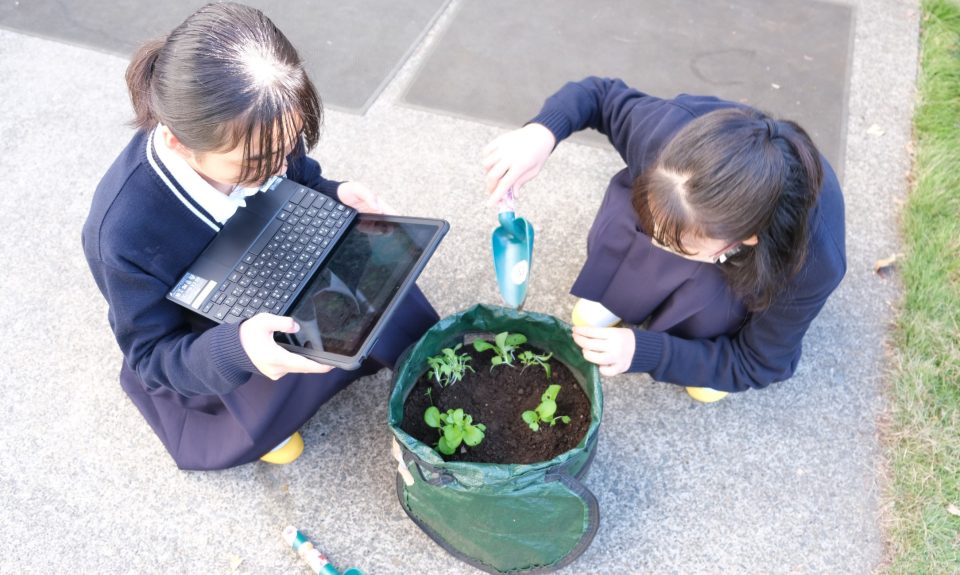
294,251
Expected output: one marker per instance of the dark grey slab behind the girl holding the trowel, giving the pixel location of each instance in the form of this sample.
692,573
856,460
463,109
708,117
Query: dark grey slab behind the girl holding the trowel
788,58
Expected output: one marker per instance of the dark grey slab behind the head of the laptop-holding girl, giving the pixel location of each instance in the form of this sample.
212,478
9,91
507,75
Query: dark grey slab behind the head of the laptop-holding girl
351,49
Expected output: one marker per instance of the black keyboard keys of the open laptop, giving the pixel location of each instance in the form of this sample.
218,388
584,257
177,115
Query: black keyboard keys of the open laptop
267,277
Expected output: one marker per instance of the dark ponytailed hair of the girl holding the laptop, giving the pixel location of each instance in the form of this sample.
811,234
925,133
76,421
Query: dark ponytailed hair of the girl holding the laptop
227,75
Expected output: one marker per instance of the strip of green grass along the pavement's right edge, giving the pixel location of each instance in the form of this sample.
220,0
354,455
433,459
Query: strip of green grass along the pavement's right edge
924,438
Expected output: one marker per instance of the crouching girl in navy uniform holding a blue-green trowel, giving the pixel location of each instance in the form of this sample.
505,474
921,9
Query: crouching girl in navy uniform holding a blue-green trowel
719,242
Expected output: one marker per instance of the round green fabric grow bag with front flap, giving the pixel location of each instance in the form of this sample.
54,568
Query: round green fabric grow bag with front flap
533,518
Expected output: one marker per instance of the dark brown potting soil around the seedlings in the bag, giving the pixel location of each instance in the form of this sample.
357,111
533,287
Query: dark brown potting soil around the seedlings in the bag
497,398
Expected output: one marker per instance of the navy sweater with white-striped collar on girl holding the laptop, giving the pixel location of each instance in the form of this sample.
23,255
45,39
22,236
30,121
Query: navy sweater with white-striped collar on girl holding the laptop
142,232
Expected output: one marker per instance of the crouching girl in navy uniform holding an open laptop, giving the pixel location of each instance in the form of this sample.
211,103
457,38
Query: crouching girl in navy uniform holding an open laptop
220,105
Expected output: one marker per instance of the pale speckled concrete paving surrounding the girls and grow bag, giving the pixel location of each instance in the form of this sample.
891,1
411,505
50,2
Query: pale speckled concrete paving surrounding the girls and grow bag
782,481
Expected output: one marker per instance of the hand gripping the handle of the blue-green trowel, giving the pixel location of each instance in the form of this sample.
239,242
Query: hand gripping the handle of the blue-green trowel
515,158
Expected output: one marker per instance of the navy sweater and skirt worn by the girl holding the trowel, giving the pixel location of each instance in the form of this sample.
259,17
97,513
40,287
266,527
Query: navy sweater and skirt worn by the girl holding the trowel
680,302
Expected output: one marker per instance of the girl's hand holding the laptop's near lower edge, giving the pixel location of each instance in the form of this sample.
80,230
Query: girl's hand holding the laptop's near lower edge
273,361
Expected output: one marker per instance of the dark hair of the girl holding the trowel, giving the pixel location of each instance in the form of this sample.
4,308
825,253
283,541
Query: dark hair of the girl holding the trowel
729,175
